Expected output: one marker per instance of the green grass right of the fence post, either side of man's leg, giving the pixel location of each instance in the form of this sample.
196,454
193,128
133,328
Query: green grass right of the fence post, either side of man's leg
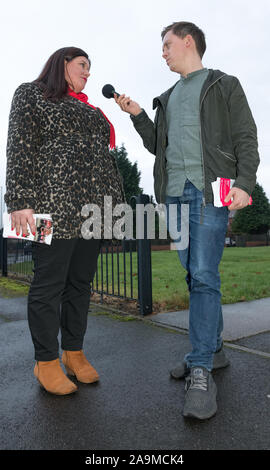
244,273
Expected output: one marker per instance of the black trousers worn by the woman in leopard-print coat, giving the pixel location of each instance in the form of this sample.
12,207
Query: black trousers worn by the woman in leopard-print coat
59,294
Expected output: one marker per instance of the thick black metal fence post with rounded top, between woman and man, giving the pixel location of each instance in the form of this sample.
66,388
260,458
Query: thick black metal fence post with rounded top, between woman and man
144,264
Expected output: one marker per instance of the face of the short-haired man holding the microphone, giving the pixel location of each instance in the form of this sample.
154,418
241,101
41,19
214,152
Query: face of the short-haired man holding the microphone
174,51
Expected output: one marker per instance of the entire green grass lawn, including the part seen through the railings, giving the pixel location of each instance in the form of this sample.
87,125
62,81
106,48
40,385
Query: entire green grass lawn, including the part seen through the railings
245,275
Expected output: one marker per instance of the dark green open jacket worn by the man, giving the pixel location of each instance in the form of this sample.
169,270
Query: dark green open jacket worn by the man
228,136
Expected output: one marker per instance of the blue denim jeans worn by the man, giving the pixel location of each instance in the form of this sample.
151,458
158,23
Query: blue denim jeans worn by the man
207,231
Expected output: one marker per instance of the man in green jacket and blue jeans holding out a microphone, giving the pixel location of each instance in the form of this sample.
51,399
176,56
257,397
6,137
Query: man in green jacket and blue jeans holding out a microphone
203,130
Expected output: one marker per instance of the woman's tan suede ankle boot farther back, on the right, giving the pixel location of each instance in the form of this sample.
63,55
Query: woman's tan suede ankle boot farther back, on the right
76,364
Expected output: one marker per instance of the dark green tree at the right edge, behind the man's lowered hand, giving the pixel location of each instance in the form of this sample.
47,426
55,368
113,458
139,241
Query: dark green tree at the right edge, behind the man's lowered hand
254,218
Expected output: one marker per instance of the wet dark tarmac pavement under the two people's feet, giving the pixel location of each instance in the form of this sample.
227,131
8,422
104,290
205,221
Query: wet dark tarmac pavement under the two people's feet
135,405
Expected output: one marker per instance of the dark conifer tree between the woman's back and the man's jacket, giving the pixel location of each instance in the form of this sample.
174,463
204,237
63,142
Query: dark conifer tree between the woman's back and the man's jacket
131,176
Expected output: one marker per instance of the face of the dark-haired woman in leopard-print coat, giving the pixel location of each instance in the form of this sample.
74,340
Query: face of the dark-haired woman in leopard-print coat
77,73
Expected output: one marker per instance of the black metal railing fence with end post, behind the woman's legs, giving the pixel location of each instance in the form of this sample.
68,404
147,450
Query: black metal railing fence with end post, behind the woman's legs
123,271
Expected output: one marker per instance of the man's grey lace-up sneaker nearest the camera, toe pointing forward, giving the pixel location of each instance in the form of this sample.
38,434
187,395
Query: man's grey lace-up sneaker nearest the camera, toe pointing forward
200,400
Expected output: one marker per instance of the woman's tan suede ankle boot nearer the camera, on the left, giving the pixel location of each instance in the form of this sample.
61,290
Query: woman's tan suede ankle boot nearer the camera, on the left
51,376
